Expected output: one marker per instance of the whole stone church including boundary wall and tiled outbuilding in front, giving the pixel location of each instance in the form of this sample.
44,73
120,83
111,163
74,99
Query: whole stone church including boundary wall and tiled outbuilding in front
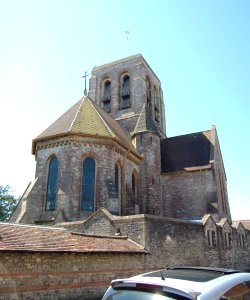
114,196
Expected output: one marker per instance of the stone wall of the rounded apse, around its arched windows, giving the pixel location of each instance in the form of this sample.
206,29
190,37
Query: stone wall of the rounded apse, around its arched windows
71,155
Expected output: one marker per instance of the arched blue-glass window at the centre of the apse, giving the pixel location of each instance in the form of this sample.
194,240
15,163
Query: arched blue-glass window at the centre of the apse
88,184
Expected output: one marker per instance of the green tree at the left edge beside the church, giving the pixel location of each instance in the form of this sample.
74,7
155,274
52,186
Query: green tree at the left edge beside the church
7,203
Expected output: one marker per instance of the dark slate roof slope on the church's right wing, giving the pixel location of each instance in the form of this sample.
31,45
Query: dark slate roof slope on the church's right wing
186,151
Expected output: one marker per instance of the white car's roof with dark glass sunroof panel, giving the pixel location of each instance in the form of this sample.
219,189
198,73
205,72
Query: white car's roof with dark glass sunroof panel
191,284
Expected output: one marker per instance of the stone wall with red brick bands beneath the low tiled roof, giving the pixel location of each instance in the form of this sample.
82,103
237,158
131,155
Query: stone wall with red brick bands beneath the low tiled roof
63,276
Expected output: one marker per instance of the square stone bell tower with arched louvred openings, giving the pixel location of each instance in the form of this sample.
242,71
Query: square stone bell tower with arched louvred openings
123,87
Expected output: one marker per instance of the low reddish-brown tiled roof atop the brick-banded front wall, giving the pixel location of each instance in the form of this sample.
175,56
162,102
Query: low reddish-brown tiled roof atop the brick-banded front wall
29,238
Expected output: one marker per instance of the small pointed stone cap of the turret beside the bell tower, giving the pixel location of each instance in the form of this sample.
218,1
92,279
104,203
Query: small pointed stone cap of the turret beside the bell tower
145,122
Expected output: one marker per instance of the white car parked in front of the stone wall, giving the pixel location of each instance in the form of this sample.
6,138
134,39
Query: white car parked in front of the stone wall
183,283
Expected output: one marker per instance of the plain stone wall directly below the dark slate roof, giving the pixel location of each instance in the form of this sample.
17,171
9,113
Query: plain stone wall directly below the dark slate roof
188,194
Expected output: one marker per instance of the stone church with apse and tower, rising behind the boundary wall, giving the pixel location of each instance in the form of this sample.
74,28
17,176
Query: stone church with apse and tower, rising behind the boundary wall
110,150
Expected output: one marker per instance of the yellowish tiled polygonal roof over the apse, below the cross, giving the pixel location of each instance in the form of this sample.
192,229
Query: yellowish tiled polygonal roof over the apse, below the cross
88,119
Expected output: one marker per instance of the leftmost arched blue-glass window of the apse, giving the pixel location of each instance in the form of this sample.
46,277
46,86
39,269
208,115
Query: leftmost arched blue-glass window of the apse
52,185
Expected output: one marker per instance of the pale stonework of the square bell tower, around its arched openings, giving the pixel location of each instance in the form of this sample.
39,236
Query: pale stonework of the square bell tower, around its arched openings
138,70
